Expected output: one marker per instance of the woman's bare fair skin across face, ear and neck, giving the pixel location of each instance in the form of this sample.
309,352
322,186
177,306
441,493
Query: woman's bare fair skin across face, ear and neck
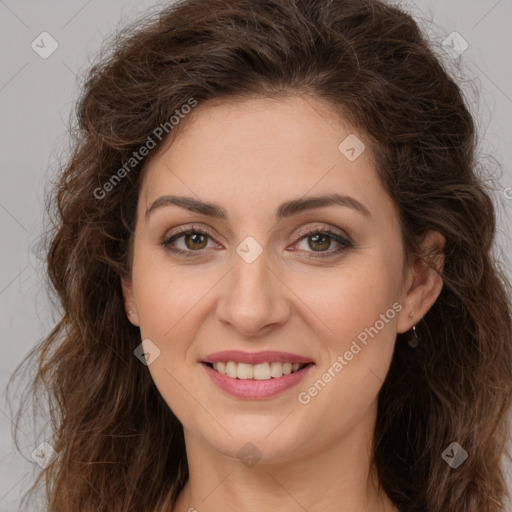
249,156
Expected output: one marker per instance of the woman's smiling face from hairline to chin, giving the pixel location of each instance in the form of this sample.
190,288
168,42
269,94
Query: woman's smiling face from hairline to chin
269,270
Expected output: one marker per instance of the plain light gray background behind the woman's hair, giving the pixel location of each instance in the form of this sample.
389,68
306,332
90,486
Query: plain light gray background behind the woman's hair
37,96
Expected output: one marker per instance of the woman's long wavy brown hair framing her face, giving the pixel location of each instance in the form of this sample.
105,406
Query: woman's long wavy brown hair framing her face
120,446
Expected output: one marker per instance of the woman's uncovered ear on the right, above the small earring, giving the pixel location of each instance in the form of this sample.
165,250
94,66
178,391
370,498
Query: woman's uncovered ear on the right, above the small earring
423,284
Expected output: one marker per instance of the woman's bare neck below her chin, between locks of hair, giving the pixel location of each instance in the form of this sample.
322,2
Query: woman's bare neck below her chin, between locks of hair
330,478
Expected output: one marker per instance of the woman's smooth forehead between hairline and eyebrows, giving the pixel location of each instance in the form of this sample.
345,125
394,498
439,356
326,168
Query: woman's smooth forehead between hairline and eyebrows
258,152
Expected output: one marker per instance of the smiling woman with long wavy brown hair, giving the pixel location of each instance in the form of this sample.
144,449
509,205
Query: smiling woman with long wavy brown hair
274,260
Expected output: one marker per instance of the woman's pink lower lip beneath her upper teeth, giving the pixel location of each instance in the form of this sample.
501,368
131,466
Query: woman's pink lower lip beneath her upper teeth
256,389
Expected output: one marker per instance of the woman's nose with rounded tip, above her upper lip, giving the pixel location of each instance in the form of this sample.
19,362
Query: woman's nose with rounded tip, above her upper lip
254,299
